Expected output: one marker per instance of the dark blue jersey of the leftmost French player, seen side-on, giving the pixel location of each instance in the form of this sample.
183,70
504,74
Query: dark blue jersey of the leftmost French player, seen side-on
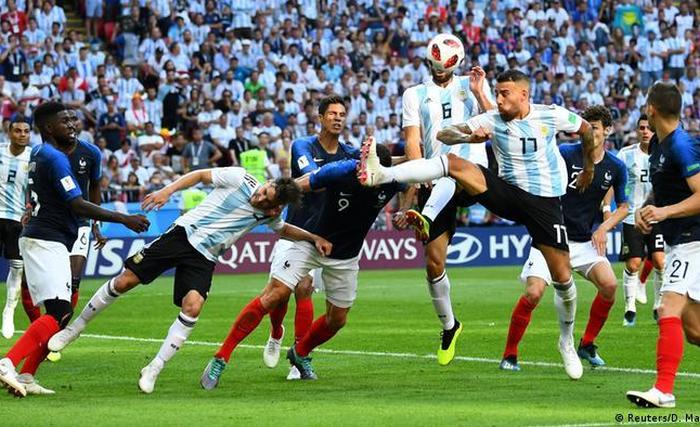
52,186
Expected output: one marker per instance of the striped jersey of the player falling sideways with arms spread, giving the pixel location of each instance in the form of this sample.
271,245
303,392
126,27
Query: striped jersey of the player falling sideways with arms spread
226,214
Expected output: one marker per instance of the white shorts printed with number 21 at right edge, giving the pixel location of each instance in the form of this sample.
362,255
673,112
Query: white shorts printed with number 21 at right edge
682,272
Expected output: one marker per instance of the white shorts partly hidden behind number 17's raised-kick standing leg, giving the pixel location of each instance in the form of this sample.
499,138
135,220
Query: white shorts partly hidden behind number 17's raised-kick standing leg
583,257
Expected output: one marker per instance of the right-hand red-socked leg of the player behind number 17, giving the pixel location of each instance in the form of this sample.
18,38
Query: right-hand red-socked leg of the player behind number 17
602,276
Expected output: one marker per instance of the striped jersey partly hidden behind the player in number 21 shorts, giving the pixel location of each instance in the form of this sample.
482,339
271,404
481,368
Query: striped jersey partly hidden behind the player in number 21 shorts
638,179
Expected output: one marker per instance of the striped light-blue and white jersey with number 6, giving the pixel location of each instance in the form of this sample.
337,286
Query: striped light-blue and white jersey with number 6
432,108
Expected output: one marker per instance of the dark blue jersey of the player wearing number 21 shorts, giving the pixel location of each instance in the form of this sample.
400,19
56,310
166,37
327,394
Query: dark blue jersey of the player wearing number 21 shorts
673,160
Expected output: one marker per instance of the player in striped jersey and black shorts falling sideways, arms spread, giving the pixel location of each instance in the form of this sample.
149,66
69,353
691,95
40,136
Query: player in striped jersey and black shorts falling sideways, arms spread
192,246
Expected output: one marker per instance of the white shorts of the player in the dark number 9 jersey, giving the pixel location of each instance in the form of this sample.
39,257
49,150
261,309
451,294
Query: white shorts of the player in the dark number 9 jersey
339,275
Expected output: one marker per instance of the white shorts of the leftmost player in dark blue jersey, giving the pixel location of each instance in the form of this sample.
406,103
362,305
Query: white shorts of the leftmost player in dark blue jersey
47,266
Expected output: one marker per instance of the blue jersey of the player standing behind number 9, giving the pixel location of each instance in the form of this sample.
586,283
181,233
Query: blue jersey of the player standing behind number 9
307,156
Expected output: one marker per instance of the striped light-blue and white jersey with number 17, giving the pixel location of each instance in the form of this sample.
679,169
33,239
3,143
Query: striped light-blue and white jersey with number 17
526,149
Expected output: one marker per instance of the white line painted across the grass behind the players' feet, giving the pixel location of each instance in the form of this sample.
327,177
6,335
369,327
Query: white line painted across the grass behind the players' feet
394,355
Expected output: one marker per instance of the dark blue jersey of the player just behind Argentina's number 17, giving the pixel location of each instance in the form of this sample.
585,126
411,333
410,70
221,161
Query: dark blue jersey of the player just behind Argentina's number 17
581,209
